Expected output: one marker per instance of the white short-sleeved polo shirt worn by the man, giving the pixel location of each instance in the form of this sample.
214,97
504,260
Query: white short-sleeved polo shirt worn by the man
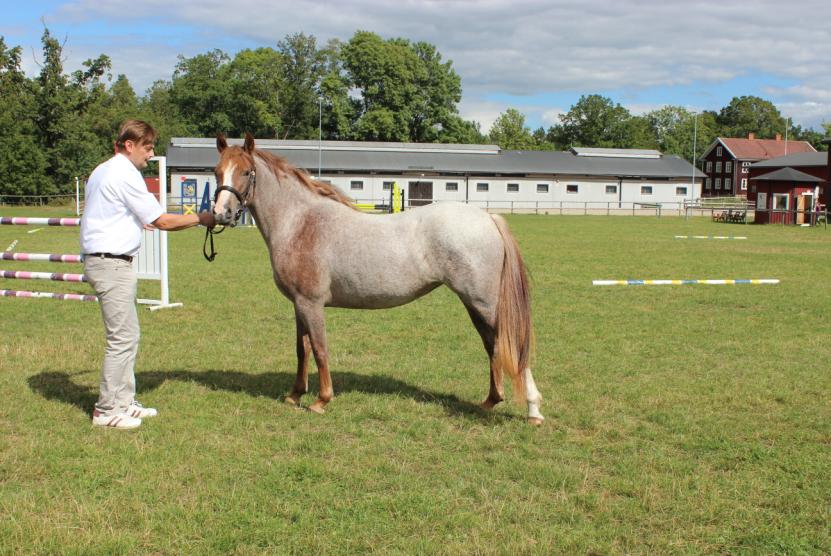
117,205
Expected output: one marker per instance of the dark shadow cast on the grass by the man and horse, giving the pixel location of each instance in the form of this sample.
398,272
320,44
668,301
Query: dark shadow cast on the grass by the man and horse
60,386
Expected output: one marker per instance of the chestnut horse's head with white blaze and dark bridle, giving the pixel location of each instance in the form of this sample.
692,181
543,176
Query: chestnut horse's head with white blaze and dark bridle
235,179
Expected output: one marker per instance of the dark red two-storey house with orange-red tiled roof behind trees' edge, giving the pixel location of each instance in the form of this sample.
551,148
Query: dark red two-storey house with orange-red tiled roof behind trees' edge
726,162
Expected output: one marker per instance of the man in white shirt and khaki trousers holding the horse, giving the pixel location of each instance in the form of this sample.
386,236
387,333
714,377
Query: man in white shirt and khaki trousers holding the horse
118,206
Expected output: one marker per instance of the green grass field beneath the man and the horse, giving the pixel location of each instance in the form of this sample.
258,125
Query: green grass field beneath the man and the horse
680,419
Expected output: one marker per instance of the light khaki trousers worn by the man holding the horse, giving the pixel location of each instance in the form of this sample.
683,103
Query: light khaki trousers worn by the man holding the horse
115,284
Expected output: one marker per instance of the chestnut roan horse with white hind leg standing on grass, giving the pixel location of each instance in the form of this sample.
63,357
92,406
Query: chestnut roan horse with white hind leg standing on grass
326,253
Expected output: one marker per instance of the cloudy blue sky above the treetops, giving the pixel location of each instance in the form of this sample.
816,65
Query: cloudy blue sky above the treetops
536,56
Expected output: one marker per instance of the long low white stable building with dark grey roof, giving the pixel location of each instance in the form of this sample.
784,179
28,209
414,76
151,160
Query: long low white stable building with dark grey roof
581,179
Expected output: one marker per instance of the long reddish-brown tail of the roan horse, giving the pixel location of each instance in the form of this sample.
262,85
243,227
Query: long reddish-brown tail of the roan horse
514,333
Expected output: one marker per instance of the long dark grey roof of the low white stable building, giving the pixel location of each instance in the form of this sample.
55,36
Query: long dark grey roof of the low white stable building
184,153
